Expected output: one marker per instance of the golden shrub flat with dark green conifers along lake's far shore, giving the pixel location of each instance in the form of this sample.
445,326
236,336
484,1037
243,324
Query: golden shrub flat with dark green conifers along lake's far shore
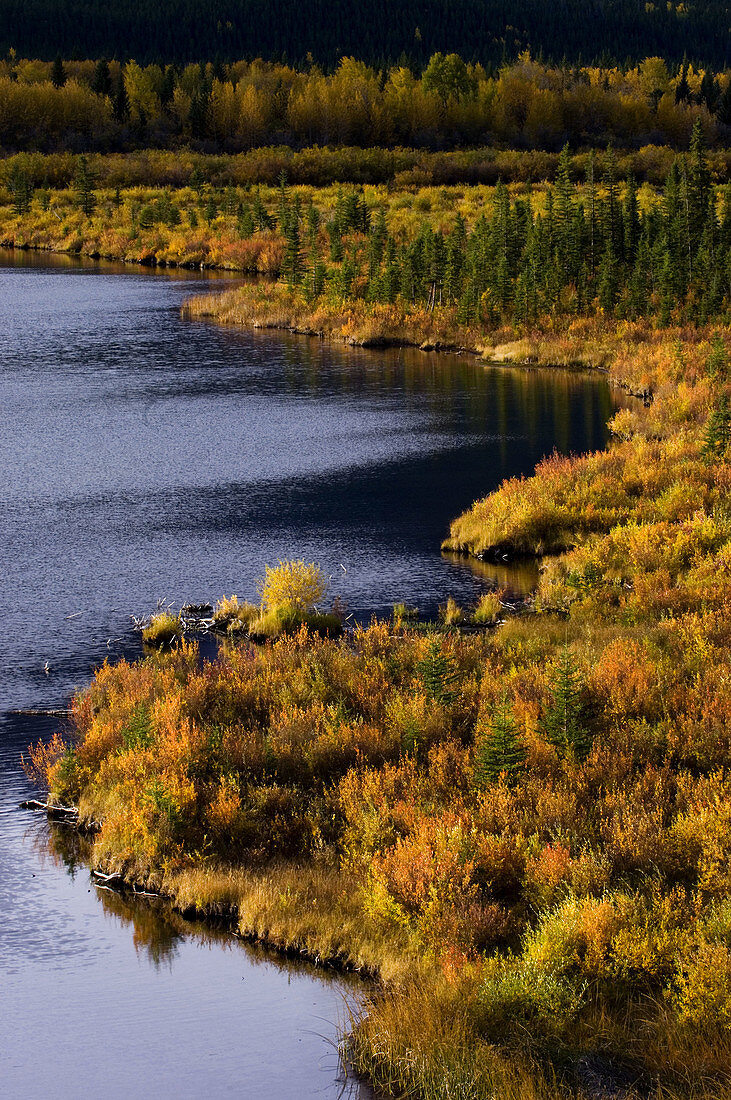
583,245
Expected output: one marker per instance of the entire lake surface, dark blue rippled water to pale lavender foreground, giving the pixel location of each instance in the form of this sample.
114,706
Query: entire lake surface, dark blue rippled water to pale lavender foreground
146,457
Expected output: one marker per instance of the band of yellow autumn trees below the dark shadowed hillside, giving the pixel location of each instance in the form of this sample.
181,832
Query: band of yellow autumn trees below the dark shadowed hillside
101,106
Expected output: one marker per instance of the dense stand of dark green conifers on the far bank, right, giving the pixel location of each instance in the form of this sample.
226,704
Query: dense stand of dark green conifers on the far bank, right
583,248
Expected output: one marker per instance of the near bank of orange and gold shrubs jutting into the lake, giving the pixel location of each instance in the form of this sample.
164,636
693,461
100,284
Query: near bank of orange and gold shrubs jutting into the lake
526,832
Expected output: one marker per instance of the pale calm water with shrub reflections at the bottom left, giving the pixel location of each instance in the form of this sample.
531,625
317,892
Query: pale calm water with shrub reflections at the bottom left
125,994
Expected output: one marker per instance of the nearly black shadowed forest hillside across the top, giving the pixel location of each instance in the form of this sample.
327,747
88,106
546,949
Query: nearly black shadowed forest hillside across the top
481,30
